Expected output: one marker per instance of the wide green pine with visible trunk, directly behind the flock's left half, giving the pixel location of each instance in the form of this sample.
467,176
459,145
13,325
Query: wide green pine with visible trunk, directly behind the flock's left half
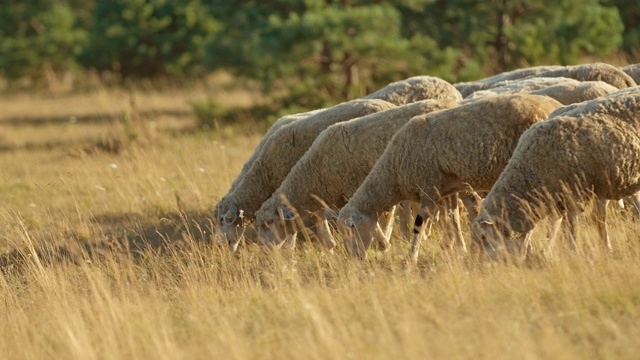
321,53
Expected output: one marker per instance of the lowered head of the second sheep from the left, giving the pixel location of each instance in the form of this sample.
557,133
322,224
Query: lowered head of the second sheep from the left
276,223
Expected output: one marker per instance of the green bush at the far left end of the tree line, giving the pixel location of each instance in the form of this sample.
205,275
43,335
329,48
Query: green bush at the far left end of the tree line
36,34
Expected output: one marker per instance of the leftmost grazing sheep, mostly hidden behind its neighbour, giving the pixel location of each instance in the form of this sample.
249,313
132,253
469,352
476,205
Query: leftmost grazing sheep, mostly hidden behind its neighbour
279,154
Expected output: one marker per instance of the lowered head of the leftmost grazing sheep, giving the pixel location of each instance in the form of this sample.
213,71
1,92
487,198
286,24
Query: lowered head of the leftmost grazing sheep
228,225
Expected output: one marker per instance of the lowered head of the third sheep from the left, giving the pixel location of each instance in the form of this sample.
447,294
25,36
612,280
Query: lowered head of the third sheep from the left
358,231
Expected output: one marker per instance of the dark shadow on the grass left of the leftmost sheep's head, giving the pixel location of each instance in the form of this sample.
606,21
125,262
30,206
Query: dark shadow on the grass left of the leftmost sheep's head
131,235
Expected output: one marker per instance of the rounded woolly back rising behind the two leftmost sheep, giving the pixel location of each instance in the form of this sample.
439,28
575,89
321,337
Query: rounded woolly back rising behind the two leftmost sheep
415,89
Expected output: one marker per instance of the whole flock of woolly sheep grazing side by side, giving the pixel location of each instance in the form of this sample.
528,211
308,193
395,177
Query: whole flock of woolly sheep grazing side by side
513,148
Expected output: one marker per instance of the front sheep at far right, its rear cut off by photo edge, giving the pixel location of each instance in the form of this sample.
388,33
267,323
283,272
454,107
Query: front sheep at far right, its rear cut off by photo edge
590,150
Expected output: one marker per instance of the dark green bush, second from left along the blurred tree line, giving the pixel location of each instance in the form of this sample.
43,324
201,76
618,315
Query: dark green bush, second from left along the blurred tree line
148,37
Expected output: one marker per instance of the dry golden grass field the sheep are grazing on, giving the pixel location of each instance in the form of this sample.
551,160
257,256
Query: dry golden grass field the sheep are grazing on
106,253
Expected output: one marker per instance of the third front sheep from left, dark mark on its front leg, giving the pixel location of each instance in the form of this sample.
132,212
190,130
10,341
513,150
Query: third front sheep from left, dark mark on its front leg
437,155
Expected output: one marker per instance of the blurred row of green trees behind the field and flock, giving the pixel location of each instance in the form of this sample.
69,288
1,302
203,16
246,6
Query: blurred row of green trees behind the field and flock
310,53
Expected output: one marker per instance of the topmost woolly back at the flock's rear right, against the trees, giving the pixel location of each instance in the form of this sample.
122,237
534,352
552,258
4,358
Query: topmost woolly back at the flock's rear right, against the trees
593,72
